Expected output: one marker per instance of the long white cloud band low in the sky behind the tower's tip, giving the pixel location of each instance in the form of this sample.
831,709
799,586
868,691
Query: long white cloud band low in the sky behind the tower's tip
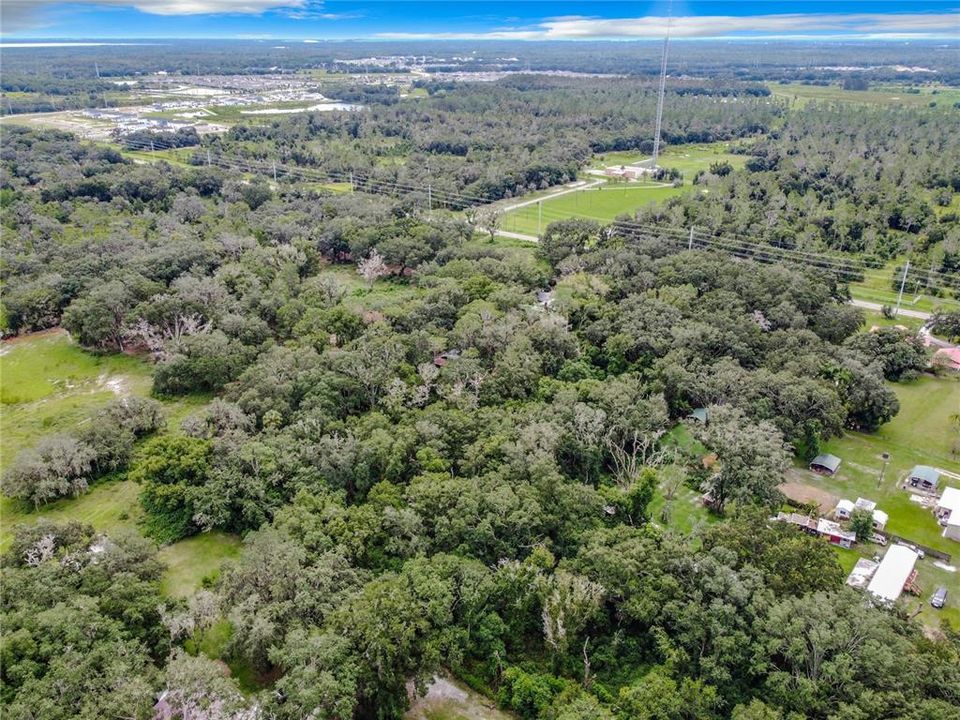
797,24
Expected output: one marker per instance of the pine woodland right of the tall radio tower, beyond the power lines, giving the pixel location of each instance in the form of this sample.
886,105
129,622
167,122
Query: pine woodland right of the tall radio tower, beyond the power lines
869,182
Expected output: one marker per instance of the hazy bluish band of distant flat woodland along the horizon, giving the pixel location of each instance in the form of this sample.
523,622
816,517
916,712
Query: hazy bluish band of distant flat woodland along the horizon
883,62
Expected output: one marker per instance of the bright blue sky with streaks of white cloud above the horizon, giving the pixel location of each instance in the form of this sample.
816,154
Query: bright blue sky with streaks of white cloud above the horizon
472,19
